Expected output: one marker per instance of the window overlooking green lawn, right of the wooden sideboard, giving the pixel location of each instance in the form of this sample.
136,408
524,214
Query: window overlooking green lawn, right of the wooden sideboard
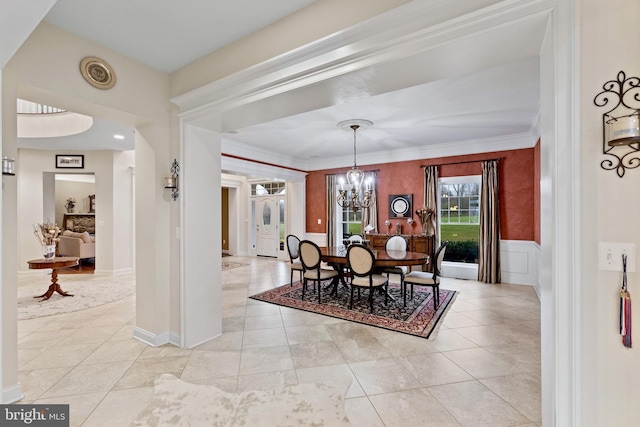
460,217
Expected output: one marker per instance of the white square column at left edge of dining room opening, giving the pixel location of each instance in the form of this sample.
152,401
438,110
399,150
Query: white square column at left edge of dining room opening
201,256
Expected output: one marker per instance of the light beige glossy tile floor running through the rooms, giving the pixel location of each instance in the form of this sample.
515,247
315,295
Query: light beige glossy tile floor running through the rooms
482,369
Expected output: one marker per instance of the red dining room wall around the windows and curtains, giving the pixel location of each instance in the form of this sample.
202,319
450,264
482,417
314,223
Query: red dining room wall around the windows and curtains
519,218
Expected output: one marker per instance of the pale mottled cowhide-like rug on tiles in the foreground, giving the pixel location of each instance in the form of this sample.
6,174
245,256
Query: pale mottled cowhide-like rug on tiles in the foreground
178,403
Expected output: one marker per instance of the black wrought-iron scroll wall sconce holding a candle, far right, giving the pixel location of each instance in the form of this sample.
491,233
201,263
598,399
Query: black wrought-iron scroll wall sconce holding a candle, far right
621,124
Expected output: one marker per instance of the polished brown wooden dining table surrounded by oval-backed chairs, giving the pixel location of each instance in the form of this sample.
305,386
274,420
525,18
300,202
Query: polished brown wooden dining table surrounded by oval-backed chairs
336,256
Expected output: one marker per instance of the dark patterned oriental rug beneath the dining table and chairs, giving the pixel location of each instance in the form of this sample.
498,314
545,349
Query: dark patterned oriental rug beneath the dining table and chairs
417,318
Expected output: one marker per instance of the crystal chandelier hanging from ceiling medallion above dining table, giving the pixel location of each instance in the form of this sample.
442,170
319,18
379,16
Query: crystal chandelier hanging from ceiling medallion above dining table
355,176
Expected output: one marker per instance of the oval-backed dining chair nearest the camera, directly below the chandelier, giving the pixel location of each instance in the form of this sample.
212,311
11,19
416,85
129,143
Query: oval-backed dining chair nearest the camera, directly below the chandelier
361,262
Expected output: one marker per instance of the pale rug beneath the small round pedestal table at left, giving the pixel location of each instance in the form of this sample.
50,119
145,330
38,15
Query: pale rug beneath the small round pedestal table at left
88,291
